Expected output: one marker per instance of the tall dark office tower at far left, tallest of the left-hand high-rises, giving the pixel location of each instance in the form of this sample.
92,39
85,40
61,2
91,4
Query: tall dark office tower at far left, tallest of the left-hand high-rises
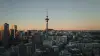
6,36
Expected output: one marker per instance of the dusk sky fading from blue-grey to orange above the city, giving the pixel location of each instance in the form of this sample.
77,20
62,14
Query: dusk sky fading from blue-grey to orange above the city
63,14
